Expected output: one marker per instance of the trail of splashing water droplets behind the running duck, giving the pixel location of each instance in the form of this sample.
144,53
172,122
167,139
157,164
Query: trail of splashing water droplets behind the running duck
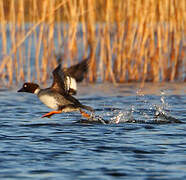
143,111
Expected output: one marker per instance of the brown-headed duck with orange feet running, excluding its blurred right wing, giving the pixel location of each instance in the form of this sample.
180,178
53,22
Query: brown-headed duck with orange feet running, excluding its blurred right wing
58,96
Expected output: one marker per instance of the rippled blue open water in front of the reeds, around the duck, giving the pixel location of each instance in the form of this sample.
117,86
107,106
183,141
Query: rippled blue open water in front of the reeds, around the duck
134,134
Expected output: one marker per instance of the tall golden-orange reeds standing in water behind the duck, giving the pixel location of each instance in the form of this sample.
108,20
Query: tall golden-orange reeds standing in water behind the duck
129,41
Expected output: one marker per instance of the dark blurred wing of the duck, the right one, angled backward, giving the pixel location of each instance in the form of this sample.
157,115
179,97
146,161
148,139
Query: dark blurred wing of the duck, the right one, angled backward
79,70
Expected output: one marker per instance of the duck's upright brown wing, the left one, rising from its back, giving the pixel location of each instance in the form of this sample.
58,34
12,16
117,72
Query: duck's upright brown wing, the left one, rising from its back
60,81
